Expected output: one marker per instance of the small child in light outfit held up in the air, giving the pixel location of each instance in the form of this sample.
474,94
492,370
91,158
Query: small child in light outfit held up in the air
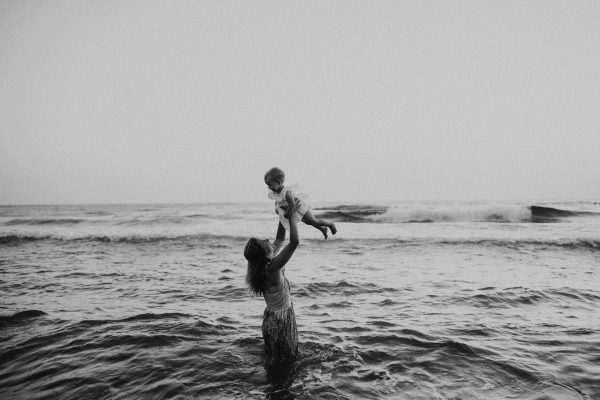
290,202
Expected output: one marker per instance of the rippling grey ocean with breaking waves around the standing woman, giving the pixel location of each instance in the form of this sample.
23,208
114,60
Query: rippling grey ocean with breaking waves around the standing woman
410,300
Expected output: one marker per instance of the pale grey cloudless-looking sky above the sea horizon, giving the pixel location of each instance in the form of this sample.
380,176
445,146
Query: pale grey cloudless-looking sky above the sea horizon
193,101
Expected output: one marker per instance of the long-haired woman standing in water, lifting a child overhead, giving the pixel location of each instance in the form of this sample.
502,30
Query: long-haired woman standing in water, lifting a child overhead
265,277
